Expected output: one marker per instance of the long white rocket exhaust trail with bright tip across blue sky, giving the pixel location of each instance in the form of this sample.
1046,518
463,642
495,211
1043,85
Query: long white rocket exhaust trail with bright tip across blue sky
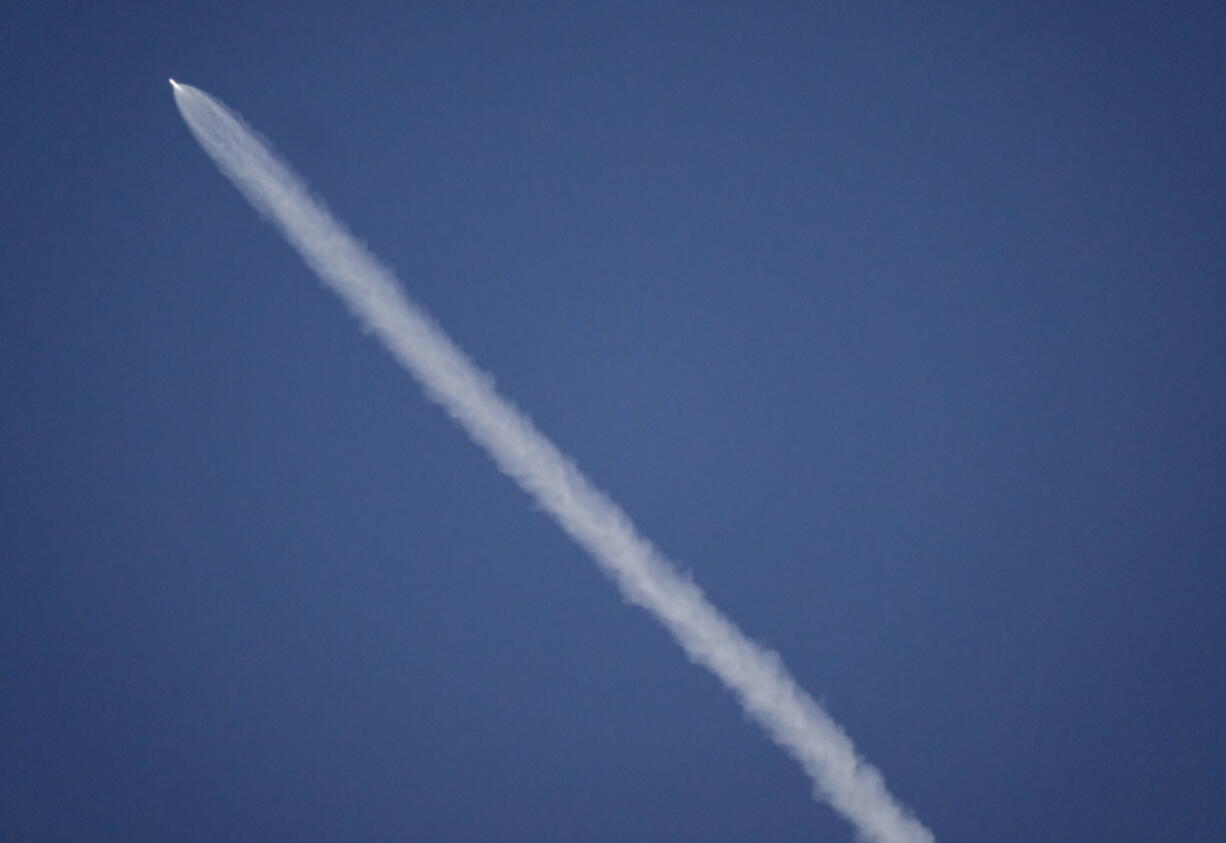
756,676
